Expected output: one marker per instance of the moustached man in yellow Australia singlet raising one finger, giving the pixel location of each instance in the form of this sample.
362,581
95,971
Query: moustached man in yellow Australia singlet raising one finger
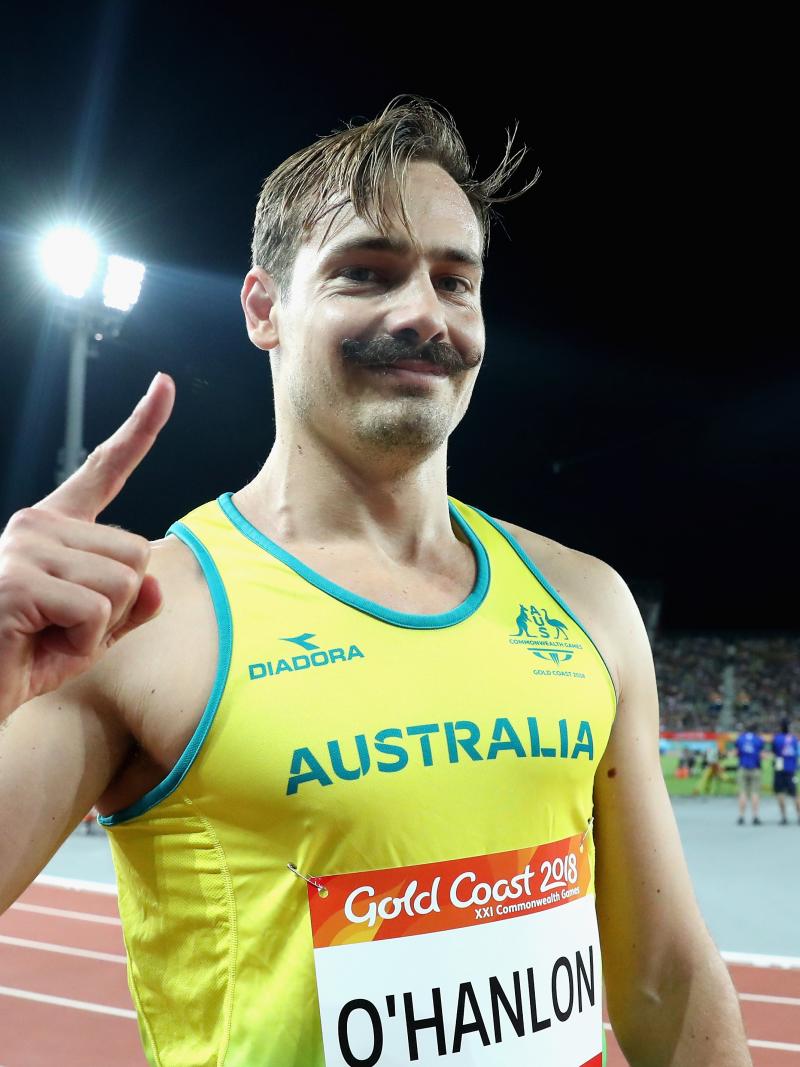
339,691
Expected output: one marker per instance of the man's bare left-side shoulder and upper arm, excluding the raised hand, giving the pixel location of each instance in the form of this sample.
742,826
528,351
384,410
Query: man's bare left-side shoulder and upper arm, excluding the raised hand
78,746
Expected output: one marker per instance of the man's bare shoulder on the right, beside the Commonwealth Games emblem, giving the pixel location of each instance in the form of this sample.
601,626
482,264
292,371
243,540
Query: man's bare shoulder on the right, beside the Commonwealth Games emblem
595,592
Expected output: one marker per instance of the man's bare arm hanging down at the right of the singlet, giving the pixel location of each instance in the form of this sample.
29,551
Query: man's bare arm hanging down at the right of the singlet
670,998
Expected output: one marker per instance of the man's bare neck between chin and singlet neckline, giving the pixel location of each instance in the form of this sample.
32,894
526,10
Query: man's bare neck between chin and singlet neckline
308,493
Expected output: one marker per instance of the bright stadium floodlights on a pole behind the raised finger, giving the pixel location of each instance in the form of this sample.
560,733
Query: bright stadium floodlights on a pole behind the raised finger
93,310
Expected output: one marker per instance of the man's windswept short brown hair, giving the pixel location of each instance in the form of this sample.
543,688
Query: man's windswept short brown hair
353,166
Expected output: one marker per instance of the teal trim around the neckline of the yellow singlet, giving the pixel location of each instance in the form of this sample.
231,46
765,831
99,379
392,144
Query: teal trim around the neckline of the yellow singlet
470,607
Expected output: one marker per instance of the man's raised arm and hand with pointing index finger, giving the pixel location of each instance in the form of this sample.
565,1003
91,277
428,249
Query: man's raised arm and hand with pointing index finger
70,590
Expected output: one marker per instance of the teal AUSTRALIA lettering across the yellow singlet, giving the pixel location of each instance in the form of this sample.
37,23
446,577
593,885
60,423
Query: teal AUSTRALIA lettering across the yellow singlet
435,743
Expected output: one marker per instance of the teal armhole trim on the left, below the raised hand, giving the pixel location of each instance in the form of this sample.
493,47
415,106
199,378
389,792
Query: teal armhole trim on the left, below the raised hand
226,632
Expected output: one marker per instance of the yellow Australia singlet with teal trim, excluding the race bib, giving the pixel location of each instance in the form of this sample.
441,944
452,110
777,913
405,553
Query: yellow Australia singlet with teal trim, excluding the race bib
342,737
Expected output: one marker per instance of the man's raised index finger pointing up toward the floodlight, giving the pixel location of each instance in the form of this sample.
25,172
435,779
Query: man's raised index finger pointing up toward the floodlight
102,477
